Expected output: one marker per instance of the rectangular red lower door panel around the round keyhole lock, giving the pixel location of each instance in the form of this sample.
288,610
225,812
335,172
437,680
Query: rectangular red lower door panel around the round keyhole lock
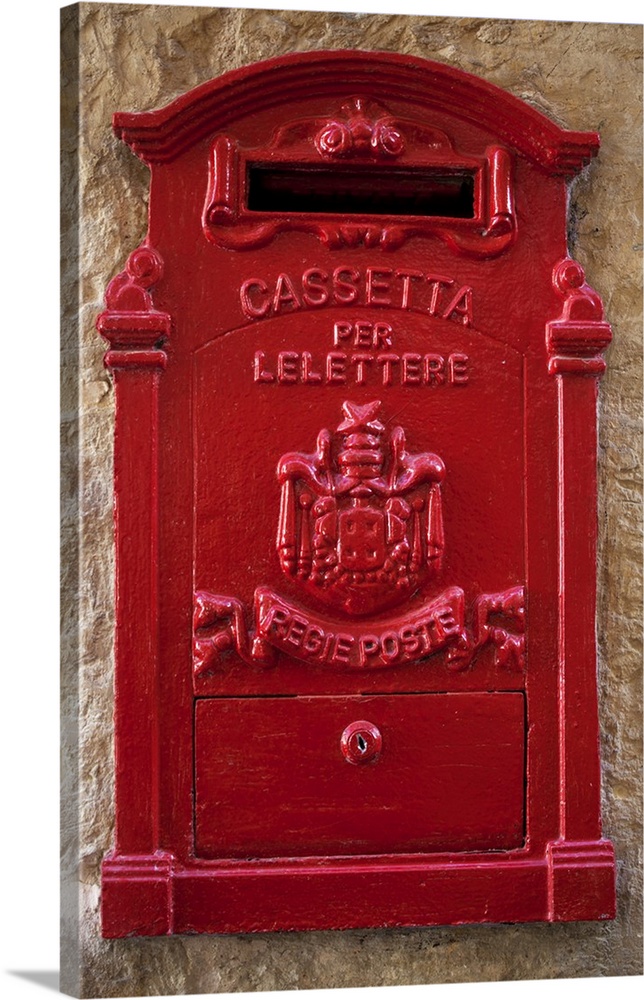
272,780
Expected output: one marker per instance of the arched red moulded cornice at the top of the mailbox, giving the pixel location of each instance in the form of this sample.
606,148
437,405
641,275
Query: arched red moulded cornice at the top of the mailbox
159,136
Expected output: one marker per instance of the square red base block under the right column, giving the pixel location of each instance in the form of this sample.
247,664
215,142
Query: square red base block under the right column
581,880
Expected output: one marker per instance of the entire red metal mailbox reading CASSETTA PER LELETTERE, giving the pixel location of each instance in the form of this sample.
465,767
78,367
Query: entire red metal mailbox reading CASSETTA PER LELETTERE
356,379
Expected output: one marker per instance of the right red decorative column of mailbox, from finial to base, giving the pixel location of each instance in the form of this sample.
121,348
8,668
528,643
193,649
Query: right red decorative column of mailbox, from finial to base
581,864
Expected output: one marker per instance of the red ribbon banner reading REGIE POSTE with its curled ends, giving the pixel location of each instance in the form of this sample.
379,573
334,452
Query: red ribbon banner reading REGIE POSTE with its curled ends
411,637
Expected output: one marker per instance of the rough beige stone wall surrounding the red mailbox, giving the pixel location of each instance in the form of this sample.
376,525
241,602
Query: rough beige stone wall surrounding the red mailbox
585,76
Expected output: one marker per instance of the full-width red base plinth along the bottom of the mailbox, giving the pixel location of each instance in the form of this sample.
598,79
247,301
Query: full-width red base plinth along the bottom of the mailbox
151,896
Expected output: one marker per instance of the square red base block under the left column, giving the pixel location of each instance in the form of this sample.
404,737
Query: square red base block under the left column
136,896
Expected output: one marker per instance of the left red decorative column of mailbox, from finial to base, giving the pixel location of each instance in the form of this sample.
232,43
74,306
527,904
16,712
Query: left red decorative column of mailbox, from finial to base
136,887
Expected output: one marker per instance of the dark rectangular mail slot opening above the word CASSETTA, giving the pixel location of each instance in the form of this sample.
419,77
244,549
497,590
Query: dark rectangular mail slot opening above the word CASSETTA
347,191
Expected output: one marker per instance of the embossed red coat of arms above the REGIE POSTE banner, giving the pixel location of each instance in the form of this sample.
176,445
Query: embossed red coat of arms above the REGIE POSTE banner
360,523
